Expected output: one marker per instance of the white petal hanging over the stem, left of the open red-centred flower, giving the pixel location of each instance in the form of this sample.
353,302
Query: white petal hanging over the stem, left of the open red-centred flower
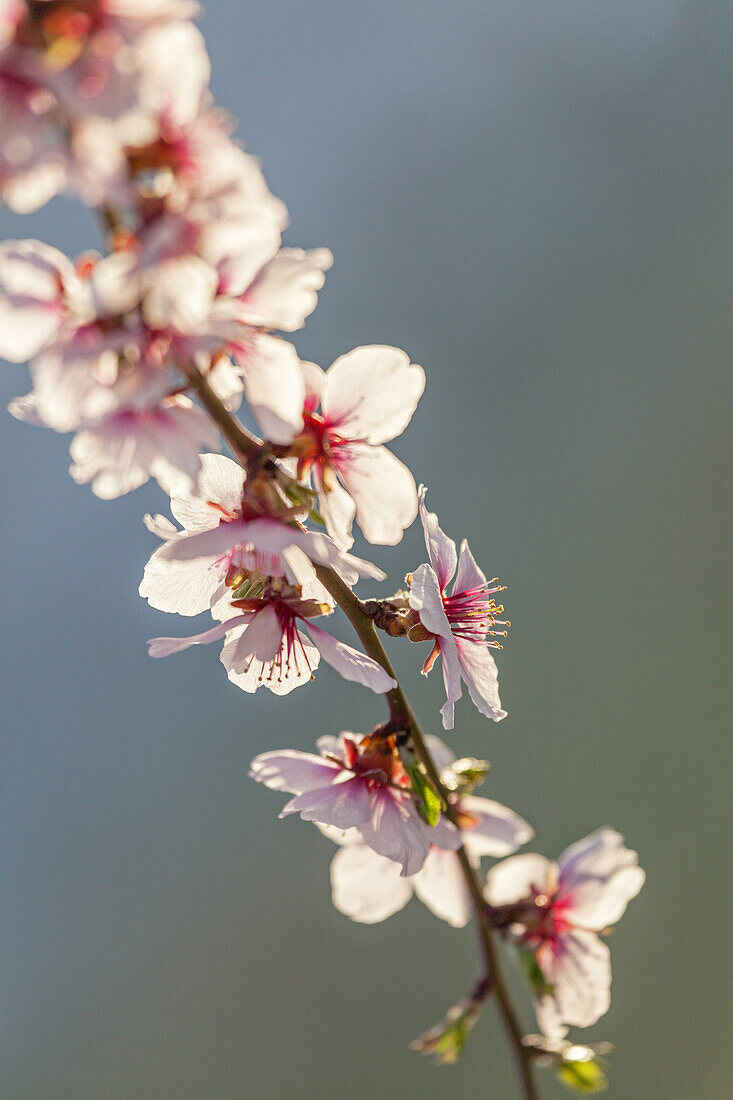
276,389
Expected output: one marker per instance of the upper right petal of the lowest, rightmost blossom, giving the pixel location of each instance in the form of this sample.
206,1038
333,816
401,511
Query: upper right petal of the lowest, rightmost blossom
599,876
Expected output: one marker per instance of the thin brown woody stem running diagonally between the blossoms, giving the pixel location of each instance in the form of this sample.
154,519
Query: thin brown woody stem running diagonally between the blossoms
248,449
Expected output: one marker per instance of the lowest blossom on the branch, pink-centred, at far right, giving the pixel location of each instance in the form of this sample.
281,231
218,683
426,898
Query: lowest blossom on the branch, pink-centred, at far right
557,910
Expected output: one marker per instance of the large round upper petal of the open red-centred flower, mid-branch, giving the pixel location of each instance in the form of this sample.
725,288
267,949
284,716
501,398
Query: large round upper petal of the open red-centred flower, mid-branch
373,392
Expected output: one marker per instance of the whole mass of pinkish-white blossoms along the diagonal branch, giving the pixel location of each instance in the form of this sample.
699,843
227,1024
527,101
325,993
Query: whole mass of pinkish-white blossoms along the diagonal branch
146,351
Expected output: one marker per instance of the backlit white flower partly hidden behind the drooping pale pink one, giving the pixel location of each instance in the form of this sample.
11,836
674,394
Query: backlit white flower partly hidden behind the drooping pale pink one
368,888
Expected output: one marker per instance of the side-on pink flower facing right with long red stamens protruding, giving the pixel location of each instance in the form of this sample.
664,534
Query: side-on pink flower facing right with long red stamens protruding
462,625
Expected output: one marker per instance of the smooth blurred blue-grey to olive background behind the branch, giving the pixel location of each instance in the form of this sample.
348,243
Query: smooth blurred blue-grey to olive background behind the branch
532,199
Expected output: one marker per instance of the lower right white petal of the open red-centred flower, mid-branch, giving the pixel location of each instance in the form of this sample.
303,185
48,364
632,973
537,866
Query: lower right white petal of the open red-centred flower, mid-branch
384,491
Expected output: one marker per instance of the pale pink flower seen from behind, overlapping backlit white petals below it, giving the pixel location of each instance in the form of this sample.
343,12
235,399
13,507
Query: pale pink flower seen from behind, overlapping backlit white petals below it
358,783
